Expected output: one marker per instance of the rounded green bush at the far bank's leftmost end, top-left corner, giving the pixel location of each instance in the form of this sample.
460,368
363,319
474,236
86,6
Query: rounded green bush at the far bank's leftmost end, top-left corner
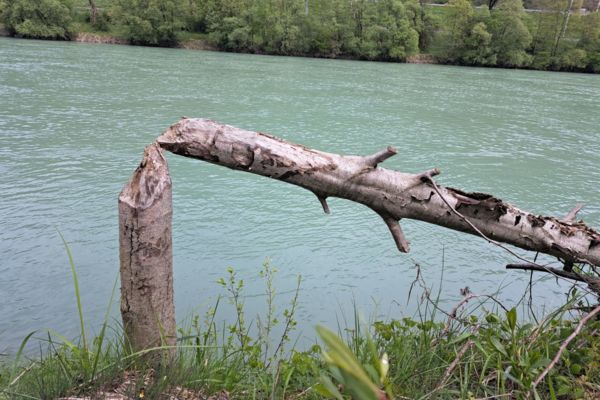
42,19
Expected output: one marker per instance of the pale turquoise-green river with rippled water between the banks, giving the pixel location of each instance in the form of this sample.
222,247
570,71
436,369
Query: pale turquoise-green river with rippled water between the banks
74,119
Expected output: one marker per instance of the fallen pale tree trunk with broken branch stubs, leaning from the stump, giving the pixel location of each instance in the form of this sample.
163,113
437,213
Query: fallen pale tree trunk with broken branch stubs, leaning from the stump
391,194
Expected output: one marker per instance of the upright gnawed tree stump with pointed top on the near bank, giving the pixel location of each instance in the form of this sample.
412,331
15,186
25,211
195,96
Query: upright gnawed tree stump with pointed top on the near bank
146,256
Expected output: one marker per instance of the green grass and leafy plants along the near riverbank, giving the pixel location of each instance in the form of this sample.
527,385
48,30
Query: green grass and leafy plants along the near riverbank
477,349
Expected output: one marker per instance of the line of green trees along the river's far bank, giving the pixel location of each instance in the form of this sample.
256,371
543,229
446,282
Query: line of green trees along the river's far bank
558,35
